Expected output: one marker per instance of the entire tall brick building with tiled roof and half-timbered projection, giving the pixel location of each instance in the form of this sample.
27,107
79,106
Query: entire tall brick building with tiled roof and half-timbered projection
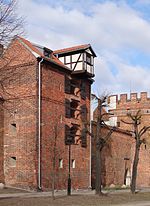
46,107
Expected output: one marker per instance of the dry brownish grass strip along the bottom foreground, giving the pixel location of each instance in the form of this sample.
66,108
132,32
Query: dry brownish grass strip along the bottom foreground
78,200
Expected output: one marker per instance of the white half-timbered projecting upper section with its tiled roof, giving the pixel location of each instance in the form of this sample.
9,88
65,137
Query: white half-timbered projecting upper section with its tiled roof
80,59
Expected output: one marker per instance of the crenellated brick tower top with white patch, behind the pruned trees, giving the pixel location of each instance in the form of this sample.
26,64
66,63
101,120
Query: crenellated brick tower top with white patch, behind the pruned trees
122,104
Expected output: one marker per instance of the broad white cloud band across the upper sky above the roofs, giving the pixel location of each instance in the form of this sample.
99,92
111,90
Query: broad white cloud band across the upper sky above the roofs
109,26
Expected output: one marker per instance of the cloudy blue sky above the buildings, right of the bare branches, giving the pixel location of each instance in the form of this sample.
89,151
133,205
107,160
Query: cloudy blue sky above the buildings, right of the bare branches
118,31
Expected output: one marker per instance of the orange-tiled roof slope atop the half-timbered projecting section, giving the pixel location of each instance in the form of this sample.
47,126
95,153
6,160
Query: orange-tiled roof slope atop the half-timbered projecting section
71,49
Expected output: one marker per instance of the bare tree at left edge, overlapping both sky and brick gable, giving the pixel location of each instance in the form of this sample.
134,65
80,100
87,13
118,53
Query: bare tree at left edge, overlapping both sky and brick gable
11,24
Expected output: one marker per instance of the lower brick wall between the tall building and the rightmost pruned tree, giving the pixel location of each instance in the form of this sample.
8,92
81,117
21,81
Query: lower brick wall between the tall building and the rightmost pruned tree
116,157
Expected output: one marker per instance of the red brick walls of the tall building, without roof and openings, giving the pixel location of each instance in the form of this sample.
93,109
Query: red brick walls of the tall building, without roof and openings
21,124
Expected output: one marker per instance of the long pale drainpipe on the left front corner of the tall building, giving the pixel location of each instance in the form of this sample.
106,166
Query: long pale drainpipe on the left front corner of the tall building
39,127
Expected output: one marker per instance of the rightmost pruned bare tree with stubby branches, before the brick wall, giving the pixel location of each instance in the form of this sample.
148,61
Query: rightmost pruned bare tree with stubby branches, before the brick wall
135,121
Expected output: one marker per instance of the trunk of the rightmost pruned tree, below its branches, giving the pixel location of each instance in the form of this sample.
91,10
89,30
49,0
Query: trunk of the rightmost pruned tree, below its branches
134,168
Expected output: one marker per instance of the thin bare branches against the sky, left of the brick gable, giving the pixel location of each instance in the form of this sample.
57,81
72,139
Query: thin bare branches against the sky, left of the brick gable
10,22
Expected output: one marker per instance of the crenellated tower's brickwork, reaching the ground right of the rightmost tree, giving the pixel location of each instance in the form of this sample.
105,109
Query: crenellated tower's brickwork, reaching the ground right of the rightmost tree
133,104
